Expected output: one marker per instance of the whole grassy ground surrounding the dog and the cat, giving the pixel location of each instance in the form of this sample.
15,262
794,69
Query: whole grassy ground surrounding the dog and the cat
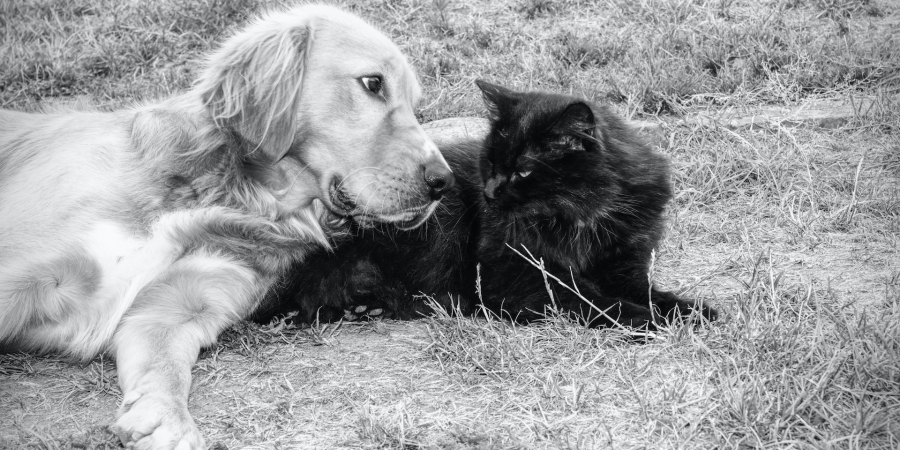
791,228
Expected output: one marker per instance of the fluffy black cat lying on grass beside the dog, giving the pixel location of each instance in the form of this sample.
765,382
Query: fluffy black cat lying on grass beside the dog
563,178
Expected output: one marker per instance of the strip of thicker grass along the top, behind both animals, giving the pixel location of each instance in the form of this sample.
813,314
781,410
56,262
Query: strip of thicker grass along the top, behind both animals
651,56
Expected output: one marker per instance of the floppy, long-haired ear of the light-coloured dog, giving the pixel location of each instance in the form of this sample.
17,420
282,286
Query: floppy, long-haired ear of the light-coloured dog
252,85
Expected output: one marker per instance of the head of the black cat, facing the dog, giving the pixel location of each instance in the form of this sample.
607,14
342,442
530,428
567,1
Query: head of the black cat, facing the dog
544,154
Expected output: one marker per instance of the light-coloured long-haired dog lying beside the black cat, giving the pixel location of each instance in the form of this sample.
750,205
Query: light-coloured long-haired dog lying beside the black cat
146,232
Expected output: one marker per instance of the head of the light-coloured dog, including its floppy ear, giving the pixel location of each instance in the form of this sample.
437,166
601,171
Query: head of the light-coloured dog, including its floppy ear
329,102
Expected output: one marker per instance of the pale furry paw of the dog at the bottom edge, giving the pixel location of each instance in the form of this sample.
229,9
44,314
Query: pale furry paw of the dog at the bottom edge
150,421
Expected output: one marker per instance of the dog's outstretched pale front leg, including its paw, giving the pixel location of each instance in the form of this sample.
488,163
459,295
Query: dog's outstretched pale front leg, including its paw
159,340
